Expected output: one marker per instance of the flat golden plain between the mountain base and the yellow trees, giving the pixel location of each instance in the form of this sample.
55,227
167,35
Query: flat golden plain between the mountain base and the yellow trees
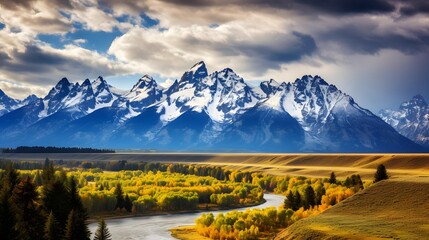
311,165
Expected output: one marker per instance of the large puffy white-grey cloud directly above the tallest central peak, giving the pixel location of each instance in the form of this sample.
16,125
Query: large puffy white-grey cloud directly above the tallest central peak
250,46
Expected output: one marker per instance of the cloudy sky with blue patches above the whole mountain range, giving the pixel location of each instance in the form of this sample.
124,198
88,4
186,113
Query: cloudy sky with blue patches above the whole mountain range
375,50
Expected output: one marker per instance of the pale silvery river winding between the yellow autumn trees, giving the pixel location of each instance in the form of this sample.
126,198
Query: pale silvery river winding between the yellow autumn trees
156,227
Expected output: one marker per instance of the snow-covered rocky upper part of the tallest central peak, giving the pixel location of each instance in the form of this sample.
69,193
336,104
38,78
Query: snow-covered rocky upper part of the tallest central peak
222,95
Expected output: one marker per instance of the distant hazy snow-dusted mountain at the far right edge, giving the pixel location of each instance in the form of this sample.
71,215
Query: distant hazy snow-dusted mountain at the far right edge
411,119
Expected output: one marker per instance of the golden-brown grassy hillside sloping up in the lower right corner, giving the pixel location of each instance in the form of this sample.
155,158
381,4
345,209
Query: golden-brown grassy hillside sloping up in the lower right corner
393,209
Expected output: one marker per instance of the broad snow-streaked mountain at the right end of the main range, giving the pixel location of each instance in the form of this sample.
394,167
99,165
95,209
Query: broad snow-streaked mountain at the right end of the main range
331,119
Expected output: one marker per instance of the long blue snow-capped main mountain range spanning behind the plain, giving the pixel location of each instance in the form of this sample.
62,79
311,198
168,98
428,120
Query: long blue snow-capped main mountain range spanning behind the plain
200,112
